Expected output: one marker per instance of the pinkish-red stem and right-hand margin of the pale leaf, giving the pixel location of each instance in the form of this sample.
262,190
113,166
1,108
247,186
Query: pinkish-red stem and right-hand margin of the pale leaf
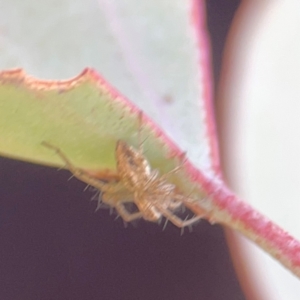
227,208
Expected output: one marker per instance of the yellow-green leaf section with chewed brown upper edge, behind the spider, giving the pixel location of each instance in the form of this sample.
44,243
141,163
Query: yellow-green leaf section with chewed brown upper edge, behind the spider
84,117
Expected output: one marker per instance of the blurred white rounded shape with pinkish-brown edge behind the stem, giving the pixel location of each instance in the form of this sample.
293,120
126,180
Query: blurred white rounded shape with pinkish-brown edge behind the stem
259,127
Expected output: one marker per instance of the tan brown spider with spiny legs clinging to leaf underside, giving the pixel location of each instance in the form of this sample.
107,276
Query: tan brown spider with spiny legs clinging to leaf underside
153,195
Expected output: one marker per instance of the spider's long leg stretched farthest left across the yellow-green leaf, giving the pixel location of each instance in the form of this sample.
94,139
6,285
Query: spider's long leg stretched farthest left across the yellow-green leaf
83,175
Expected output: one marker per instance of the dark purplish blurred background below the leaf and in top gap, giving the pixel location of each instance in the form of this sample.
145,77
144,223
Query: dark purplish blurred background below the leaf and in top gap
54,246
